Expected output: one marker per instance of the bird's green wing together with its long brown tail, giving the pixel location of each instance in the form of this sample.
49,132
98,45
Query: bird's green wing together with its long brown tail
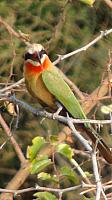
55,83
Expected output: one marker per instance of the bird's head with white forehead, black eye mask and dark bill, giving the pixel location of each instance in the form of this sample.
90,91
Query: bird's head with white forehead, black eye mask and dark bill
35,54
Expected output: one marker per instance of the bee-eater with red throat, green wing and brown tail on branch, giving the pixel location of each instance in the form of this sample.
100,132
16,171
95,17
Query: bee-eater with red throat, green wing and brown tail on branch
45,83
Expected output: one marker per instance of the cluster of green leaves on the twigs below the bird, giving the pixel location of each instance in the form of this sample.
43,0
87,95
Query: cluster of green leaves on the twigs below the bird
39,162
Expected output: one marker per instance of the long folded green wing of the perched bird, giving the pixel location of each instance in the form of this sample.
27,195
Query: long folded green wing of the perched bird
62,92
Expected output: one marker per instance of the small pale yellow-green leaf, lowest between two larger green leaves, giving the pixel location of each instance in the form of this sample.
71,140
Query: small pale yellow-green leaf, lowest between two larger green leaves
47,177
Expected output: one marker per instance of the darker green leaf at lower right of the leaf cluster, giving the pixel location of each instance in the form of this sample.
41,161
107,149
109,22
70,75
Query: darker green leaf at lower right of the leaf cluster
70,174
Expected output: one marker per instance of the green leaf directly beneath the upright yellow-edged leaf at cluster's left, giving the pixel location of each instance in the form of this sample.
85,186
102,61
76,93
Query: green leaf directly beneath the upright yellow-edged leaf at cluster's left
39,164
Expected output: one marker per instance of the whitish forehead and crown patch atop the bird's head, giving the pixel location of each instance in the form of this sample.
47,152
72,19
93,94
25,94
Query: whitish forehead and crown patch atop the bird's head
34,47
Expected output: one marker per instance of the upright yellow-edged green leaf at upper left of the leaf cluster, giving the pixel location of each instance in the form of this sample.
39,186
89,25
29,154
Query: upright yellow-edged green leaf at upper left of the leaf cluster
37,144
